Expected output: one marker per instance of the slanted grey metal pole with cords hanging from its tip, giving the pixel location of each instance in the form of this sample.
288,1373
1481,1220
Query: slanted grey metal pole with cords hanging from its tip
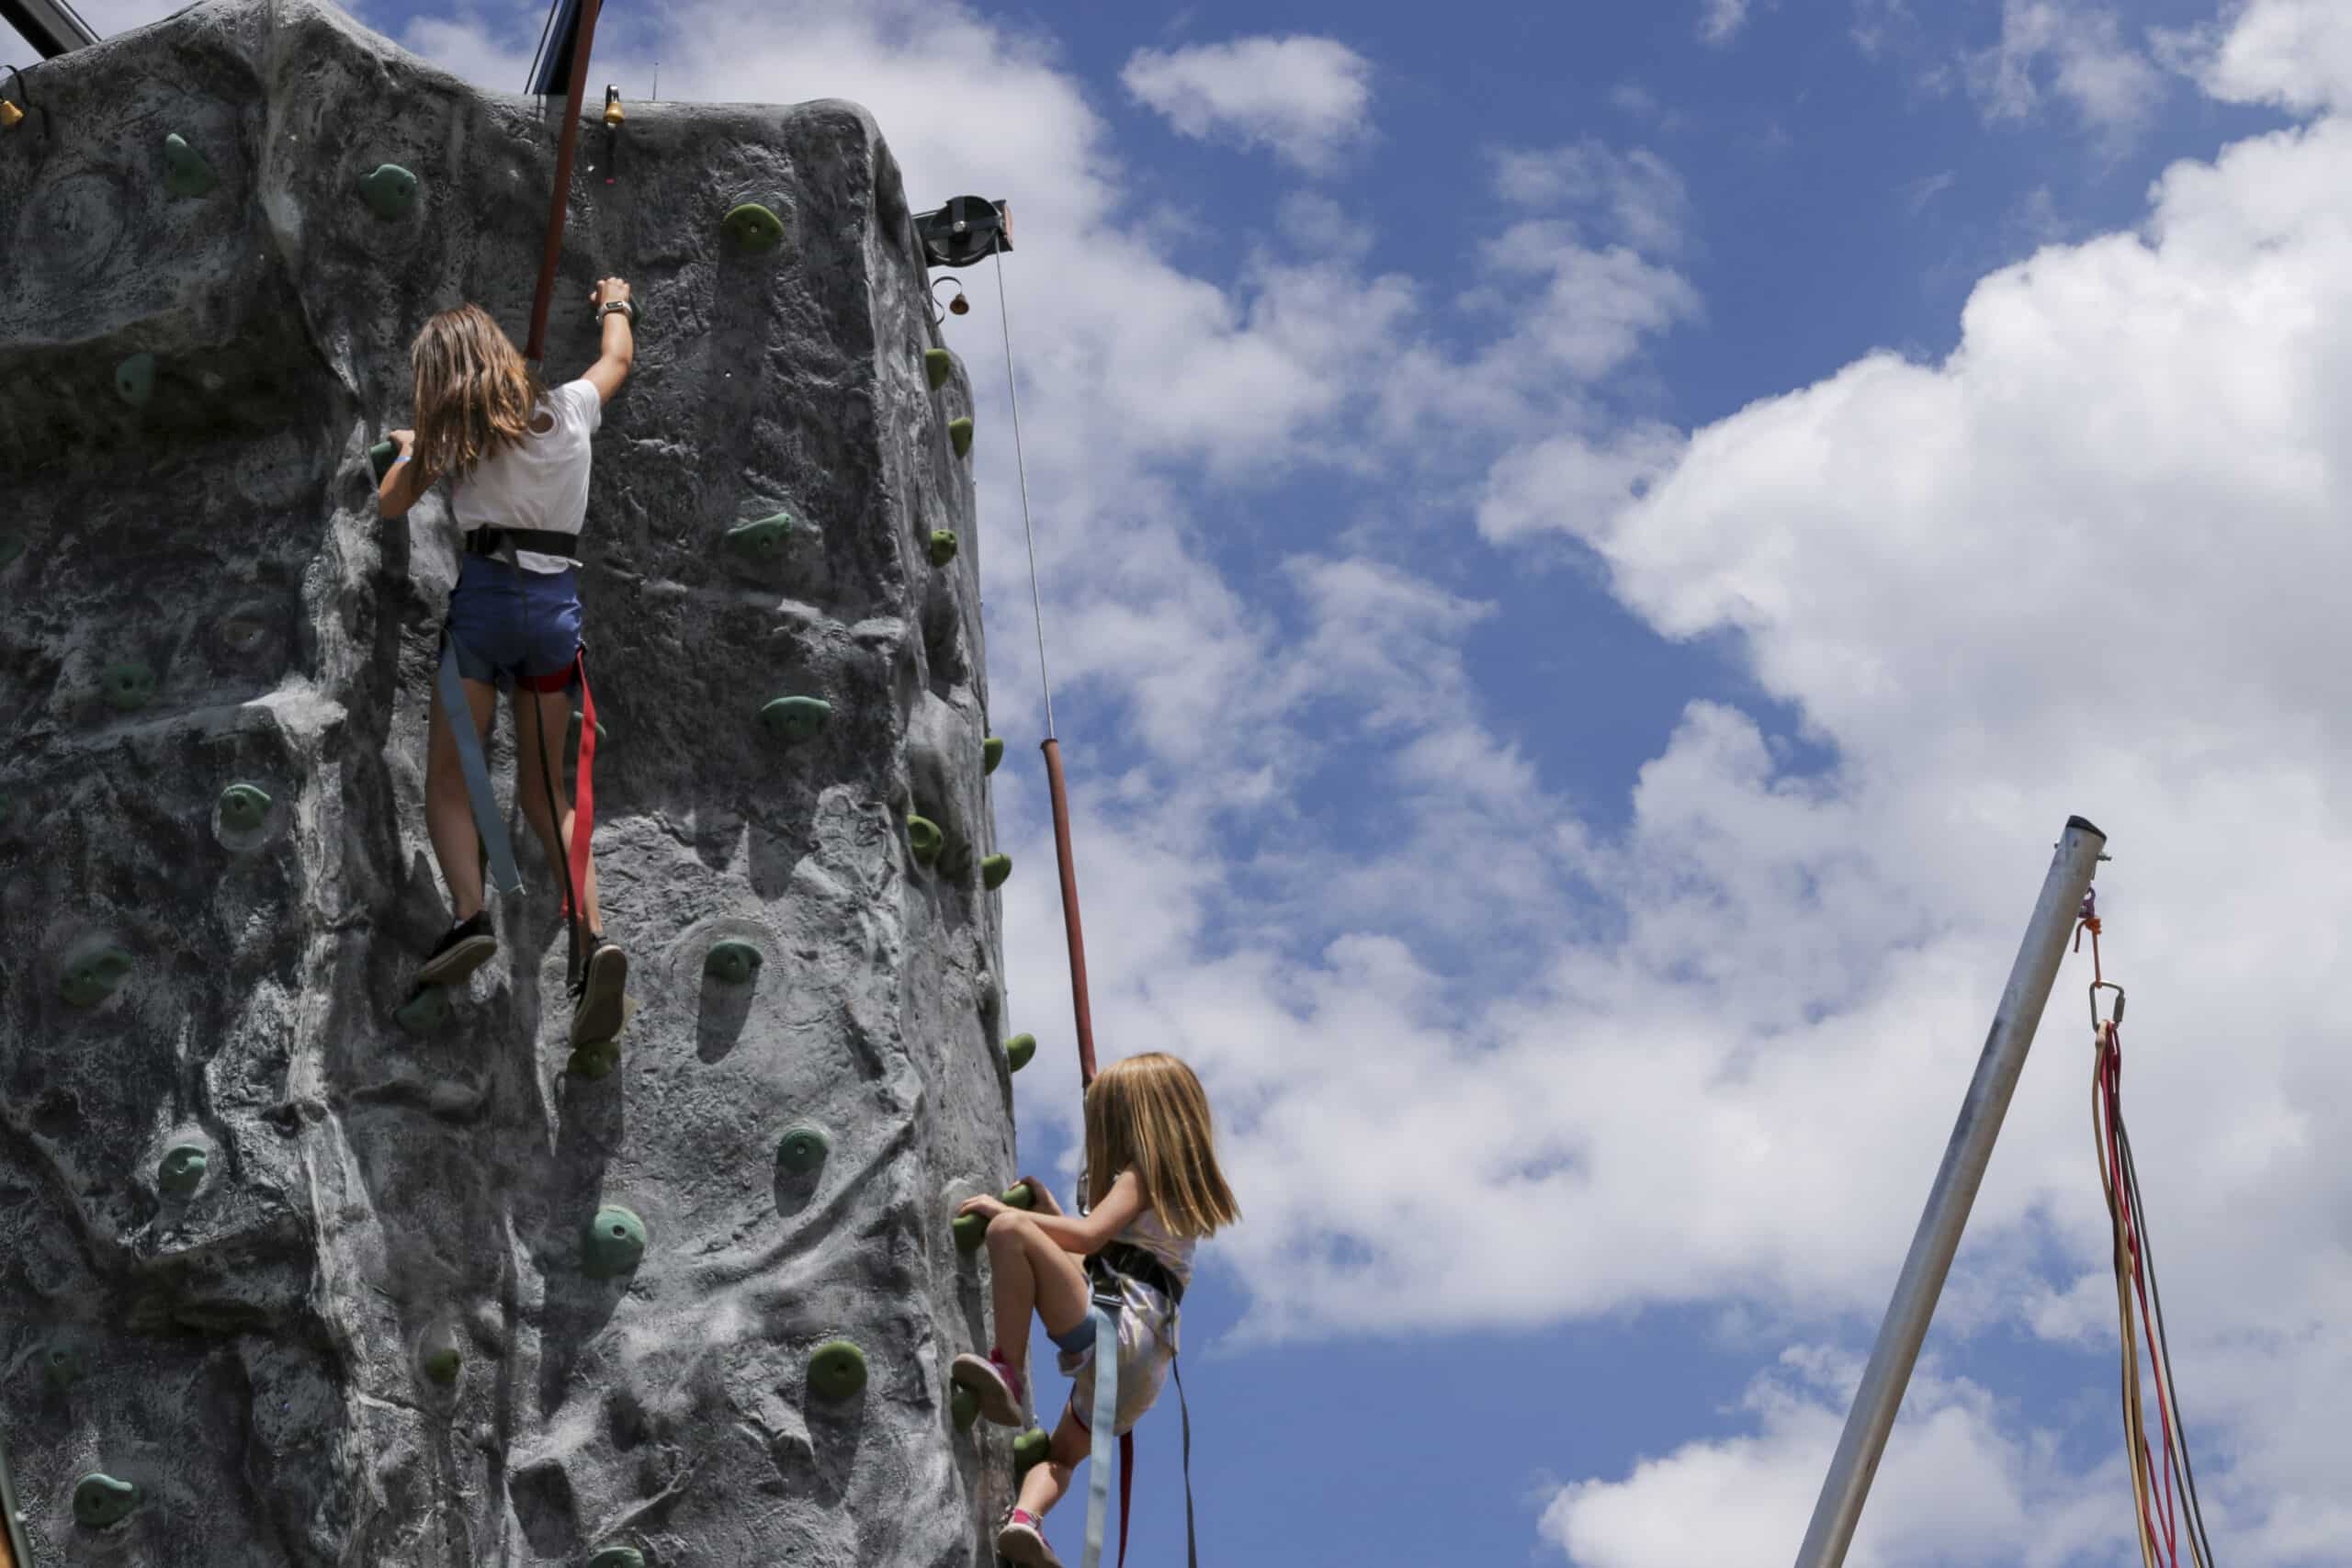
1949,1202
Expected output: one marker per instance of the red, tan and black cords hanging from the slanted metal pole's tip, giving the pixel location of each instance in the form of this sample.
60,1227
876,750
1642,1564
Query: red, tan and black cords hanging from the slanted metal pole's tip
2156,1485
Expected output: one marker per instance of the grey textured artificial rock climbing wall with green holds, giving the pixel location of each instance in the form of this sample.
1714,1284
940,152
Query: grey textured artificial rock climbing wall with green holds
309,1287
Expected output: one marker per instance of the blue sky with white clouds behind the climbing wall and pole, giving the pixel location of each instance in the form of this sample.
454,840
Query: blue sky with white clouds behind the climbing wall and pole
1589,554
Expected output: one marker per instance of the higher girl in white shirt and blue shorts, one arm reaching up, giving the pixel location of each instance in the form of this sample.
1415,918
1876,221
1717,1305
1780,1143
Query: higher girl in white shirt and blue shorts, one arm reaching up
516,457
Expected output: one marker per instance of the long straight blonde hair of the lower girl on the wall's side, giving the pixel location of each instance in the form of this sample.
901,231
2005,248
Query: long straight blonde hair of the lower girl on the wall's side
1151,1115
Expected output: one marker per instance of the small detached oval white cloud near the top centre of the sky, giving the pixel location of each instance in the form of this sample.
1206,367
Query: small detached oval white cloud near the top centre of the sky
1304,98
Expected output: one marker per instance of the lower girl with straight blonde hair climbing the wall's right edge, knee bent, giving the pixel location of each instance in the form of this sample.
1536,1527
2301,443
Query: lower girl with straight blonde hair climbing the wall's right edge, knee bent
1154,1193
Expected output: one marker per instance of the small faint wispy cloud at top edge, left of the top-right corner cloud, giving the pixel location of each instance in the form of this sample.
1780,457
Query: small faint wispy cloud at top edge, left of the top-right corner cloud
2076,51
